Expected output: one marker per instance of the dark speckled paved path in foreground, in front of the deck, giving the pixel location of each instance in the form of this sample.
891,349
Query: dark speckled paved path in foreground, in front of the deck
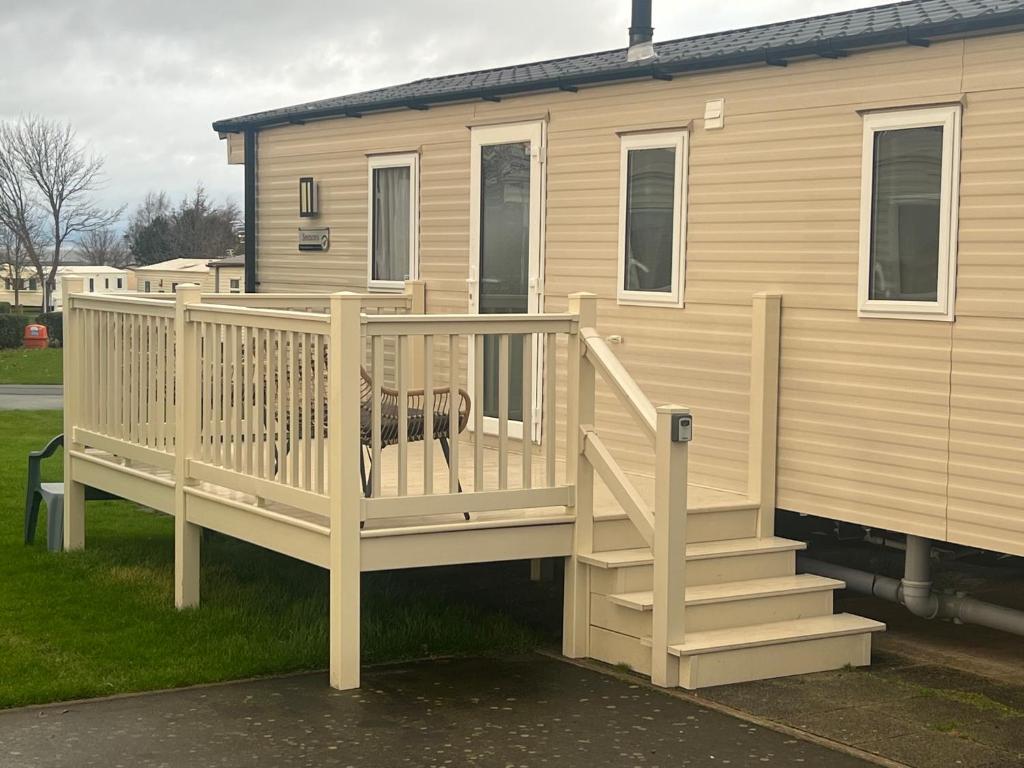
529,712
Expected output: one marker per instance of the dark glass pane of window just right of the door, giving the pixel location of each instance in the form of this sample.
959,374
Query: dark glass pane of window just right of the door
651,195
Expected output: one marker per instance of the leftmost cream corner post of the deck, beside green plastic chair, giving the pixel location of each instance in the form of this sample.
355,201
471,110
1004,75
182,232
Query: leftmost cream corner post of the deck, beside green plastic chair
74,511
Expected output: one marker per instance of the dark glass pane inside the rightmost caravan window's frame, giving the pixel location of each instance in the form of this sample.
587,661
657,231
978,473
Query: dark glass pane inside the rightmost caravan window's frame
907,194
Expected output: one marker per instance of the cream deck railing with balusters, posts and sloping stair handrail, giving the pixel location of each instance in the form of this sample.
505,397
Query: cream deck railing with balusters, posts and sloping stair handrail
280,399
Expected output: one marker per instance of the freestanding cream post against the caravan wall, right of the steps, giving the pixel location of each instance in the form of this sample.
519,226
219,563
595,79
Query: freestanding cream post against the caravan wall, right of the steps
766,324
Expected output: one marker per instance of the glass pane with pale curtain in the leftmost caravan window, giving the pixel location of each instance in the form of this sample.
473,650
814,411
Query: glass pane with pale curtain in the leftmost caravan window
392,224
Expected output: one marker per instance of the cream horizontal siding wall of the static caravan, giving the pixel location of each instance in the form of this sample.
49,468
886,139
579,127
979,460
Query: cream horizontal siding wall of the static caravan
867,406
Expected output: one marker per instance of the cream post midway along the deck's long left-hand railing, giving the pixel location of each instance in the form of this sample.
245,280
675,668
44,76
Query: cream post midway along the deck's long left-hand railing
188,537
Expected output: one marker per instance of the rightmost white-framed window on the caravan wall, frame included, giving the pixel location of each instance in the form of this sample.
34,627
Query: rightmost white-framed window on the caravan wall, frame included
909,214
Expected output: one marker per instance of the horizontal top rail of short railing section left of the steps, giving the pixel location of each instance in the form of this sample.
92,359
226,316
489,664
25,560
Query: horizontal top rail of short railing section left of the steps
404,325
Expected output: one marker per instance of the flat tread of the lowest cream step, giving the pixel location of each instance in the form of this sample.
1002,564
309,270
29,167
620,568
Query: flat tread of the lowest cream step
816,628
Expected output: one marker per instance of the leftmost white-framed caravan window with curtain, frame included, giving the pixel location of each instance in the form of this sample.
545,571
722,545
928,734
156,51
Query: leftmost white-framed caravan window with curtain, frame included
393,242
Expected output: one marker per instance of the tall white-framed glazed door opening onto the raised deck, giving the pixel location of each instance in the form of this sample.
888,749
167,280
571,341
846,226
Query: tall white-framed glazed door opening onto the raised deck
506,224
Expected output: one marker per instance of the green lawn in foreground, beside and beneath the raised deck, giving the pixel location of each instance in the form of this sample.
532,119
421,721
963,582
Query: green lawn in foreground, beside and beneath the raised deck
103,621
